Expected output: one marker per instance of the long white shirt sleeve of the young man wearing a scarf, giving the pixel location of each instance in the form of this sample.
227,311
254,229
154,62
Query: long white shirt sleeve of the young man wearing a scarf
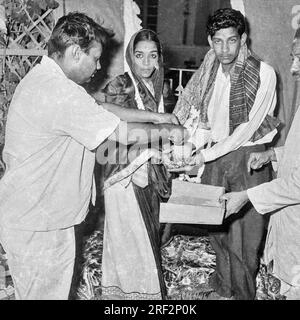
264,104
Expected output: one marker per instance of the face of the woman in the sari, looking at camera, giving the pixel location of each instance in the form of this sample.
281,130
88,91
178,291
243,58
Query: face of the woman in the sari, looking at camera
145,58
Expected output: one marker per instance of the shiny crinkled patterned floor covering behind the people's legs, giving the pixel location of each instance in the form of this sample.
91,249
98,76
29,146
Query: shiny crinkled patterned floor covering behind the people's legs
187,264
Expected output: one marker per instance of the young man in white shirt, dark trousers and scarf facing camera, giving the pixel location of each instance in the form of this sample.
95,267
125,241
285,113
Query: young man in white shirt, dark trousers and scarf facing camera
233,95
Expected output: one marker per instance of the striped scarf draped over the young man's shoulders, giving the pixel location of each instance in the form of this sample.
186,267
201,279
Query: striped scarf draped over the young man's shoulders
245,81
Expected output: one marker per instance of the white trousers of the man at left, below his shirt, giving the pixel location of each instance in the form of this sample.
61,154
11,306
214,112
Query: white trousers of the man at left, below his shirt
41,263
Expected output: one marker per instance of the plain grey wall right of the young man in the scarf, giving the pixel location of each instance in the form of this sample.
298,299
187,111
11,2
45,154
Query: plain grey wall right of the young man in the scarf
272,28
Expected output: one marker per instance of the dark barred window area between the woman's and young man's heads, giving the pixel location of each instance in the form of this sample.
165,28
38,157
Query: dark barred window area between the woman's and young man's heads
171,25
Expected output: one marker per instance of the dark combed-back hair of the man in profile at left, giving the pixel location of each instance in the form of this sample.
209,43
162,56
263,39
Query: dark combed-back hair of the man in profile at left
76,28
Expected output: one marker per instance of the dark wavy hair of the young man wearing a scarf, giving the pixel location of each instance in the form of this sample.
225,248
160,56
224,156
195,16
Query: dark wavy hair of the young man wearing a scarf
226,18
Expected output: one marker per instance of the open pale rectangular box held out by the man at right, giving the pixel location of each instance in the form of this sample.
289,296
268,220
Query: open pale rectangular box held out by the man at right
193,203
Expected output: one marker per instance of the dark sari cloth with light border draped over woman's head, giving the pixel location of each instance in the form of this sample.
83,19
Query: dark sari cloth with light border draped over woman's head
150,102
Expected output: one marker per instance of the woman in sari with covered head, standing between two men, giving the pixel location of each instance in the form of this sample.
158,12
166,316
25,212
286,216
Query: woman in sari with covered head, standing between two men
131,263
